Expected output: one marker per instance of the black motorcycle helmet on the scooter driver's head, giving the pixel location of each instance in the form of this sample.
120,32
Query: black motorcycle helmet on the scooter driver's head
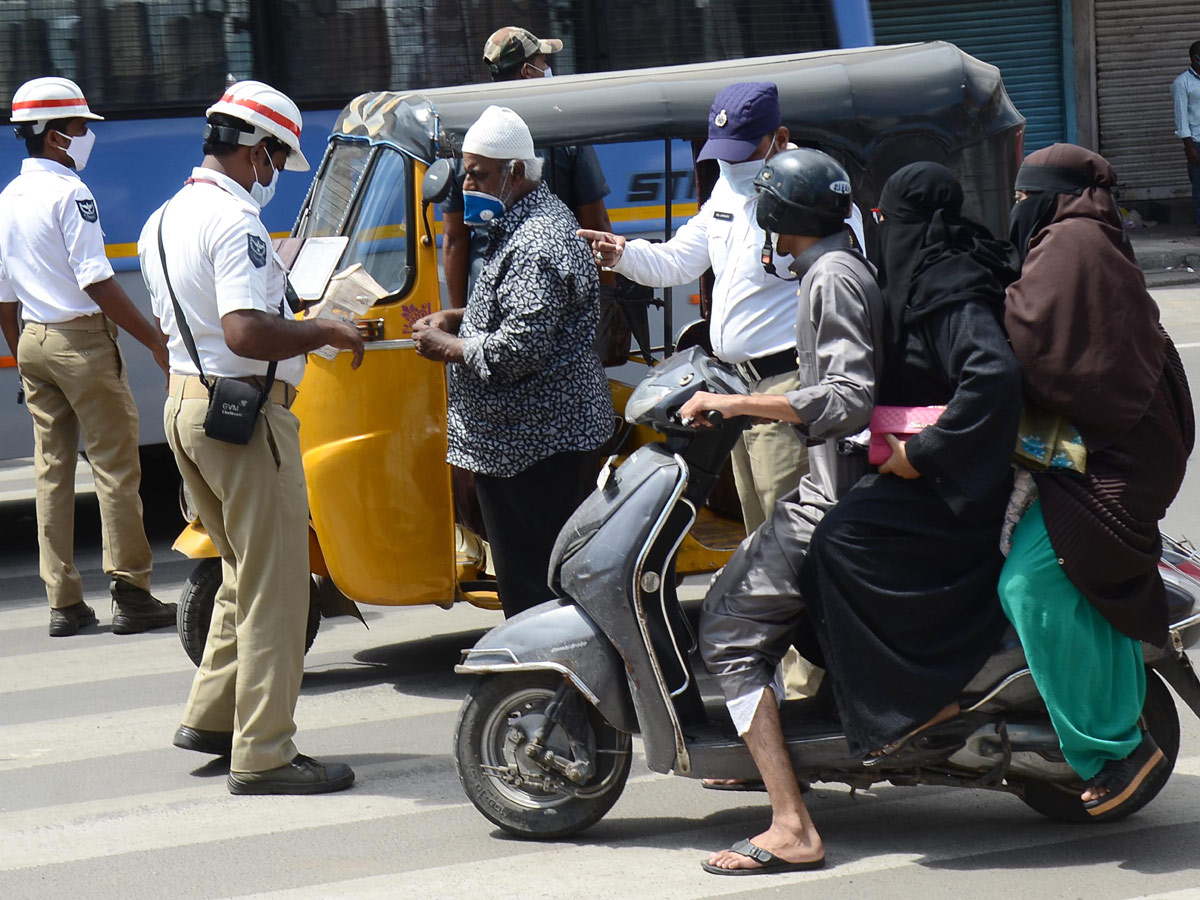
803,193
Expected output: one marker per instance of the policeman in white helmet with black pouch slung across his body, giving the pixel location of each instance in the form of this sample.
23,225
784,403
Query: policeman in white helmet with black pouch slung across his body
218,285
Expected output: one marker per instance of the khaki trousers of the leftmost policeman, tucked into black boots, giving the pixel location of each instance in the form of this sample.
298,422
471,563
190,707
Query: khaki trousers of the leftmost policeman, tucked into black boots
75,382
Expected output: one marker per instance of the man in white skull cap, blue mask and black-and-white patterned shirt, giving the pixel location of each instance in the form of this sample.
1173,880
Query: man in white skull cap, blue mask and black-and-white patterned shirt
529,400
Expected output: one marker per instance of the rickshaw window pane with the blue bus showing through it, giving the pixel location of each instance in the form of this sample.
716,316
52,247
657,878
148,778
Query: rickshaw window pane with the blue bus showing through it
379,235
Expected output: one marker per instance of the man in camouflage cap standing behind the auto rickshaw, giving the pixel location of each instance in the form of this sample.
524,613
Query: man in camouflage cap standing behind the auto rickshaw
572,173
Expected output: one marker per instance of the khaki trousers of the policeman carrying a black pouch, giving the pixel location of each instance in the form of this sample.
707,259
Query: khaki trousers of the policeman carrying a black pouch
254,505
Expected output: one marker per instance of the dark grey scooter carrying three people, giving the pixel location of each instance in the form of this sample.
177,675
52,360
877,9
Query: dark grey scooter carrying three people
544,740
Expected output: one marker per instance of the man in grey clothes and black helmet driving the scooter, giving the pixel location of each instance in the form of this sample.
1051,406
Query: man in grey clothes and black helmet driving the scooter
752,611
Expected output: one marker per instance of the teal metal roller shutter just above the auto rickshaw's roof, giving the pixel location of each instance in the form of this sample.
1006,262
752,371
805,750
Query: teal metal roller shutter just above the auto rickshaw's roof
1022,38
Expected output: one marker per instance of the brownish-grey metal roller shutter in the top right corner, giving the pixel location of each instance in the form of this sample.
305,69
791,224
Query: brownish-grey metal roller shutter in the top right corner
1141,47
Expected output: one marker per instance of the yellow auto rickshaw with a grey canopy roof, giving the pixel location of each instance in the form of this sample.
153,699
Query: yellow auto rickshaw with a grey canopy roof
383,529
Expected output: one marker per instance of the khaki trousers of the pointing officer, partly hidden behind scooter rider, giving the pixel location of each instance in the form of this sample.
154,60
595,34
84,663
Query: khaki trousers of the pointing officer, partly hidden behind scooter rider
769,463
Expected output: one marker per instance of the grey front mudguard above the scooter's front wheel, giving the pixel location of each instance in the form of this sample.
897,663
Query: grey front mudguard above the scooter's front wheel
559,637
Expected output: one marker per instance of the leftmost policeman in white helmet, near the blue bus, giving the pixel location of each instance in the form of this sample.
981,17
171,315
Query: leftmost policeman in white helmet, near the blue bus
53,266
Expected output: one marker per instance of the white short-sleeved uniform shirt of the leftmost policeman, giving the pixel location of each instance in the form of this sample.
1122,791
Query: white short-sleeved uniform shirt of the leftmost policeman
51,243
